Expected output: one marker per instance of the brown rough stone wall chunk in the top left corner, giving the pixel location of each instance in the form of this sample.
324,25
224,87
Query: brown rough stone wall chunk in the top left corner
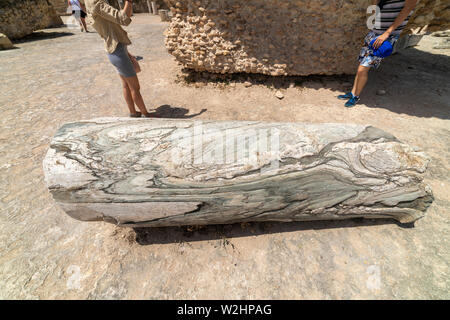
19,18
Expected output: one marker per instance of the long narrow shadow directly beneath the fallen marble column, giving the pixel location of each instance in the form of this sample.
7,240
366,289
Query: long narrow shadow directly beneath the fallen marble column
148,236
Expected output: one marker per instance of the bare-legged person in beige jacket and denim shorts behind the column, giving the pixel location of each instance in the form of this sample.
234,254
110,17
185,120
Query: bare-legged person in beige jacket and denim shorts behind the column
108,22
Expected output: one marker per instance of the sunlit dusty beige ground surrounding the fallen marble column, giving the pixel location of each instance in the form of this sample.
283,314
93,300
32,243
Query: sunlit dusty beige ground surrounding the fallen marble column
58,76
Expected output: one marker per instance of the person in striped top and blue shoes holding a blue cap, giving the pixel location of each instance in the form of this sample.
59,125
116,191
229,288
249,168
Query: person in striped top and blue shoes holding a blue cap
389,23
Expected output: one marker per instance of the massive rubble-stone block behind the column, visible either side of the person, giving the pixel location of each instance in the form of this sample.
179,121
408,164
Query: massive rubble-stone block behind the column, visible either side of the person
274,37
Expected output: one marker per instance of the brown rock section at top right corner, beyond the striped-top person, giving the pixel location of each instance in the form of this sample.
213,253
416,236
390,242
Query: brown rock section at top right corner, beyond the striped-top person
434,13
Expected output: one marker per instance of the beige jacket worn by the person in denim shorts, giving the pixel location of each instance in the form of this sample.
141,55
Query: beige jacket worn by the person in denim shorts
107,22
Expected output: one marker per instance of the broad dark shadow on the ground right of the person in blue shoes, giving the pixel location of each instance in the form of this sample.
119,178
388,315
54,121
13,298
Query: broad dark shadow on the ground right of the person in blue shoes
412,68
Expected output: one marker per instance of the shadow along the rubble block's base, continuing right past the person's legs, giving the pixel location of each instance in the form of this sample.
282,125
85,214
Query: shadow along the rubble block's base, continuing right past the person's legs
397,74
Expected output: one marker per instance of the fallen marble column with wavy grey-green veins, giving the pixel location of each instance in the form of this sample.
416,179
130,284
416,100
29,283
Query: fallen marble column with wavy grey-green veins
138,172
